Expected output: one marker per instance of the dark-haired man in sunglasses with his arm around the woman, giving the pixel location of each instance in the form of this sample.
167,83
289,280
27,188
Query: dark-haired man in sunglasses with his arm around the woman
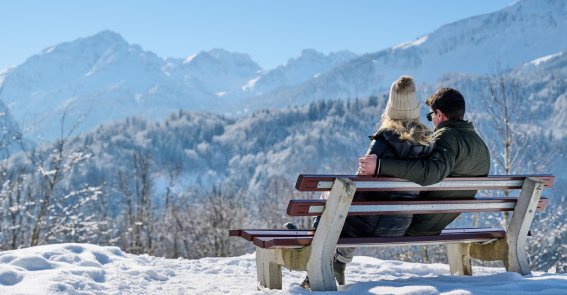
459,152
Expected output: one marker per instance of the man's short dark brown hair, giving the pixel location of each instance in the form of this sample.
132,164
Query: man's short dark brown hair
450,101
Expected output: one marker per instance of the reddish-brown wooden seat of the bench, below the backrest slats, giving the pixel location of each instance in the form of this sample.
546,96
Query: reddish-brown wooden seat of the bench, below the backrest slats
299,239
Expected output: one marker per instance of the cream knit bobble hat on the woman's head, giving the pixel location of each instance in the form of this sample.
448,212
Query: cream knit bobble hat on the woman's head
402,103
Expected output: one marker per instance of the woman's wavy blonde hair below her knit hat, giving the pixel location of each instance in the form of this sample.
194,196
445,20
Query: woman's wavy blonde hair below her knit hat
409,130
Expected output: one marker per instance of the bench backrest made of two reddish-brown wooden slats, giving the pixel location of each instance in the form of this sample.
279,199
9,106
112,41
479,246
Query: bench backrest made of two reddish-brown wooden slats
310,182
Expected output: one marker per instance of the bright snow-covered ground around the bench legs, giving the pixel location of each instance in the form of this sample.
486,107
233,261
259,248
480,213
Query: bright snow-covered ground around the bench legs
90,269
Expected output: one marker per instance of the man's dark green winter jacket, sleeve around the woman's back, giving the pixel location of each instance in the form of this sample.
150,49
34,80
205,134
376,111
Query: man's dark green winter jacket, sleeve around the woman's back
459,152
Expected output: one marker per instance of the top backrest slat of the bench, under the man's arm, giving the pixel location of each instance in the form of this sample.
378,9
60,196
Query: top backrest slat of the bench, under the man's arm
310,182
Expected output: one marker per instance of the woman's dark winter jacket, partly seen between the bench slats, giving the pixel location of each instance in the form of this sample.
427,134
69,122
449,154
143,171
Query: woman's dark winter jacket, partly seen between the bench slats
385,145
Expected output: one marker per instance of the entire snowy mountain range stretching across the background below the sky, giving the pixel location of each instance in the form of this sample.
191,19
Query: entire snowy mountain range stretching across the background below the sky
76,86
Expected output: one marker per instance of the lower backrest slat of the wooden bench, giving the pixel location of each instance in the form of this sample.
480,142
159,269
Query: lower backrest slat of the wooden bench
386,207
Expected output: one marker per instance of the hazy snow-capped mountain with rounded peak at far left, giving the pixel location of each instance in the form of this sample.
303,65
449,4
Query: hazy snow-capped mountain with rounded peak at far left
94,80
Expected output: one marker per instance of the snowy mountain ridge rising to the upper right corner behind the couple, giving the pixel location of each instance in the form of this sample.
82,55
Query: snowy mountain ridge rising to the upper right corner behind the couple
519,33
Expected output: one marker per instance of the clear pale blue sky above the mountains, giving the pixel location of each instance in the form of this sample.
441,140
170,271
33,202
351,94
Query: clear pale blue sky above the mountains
270,31
